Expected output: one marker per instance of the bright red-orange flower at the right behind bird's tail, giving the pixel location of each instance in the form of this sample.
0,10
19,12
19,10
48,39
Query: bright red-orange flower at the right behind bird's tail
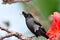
54,30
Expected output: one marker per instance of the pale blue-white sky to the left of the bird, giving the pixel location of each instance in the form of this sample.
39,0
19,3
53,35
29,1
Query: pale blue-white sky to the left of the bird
11,13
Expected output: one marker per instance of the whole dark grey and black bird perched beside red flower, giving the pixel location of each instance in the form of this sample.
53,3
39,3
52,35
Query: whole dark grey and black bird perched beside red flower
34,26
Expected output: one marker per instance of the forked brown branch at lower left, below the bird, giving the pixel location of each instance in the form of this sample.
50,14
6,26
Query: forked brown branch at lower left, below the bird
16,34
